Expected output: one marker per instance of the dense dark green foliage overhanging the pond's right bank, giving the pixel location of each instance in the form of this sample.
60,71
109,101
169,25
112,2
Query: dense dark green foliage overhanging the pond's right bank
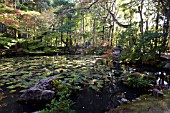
141,46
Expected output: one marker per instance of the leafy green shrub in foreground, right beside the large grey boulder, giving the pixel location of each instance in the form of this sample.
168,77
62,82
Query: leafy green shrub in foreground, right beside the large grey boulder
63,103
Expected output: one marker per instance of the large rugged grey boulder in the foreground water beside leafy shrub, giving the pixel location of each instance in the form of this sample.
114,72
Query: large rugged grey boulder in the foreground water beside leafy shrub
43,91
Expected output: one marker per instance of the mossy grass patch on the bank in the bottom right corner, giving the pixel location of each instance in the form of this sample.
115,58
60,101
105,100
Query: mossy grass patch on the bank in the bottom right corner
147,104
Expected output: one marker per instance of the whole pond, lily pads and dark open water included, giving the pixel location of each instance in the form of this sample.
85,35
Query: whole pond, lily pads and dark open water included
98,90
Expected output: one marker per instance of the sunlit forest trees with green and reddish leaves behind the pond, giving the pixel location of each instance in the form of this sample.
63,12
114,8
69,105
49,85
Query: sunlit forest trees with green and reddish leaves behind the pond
137,26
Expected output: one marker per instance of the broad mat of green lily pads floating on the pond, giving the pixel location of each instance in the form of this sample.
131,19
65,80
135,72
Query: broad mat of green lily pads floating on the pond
20,73
